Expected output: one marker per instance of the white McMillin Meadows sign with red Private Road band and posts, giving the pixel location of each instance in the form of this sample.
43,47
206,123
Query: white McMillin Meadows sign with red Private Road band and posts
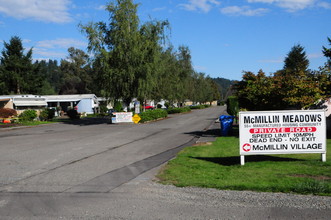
282,132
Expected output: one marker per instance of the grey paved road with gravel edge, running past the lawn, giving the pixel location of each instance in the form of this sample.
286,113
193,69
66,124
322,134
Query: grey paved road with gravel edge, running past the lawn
95,170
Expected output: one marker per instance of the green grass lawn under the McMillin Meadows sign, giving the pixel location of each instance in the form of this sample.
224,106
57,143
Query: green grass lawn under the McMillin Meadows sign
218,166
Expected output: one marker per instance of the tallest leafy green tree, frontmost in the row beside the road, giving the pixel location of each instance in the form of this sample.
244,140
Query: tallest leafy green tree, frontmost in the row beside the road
116,47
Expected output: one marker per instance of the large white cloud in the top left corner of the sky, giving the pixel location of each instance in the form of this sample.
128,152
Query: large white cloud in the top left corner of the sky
55,11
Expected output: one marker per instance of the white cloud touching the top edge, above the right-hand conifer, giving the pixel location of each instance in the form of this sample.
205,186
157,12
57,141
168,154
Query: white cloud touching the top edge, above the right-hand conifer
294,5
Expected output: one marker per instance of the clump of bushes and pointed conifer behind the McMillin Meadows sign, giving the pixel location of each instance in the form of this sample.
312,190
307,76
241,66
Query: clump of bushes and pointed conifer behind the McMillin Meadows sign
294,87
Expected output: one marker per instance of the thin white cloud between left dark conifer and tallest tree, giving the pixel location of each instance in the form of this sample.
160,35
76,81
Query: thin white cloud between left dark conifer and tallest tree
61,43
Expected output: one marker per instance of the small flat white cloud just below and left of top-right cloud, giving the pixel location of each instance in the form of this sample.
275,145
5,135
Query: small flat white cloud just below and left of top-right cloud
243,10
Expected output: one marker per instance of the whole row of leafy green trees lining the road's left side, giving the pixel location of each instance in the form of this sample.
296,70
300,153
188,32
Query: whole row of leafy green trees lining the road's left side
132,61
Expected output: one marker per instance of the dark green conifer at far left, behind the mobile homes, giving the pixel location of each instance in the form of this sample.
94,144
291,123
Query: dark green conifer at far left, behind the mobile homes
17,72
